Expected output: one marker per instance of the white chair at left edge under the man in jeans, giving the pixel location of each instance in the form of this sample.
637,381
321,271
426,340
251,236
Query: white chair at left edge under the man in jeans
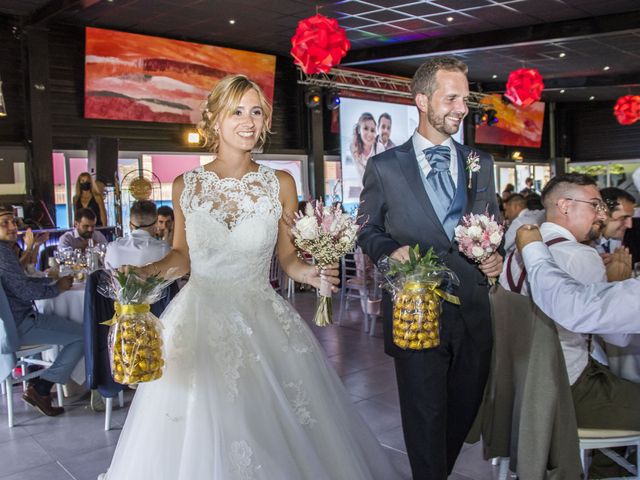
13,355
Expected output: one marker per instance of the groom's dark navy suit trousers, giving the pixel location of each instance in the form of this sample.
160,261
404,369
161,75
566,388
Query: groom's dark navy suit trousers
440,392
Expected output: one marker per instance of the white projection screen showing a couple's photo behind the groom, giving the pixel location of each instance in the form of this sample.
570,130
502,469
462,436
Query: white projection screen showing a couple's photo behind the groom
366,129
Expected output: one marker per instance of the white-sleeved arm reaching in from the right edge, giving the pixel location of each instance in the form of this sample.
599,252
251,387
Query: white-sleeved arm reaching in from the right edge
597,308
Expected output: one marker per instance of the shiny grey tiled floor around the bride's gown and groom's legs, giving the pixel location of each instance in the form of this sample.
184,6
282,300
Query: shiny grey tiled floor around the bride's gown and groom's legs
75,446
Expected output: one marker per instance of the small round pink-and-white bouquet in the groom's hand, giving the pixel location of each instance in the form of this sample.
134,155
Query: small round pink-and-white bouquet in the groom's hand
479,237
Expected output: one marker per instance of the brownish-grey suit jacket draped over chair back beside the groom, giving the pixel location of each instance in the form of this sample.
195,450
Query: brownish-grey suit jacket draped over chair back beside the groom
527,411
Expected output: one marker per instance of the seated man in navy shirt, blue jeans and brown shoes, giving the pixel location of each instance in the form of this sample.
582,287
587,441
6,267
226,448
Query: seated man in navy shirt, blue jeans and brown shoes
33,327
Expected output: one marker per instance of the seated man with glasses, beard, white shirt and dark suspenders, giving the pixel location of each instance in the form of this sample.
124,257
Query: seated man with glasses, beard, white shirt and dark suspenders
575,213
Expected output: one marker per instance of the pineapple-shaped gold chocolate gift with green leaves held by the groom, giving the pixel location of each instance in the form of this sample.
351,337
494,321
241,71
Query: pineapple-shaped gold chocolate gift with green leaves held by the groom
417,298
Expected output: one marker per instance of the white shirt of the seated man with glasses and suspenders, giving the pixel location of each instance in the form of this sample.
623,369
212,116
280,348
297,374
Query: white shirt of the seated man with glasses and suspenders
582,263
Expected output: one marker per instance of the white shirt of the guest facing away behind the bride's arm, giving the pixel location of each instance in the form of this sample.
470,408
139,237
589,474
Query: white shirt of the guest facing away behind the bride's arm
137,249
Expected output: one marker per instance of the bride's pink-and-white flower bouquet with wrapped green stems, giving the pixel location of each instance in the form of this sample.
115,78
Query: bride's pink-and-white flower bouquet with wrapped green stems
326,233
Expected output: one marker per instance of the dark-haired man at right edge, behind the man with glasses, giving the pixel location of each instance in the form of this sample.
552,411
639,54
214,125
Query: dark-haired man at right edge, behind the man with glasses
621,205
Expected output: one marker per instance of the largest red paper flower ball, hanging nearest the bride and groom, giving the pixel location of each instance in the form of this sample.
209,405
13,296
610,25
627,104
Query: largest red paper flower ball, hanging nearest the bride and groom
319,44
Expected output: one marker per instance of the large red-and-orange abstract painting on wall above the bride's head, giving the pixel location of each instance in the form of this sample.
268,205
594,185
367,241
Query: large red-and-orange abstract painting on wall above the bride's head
152,79
